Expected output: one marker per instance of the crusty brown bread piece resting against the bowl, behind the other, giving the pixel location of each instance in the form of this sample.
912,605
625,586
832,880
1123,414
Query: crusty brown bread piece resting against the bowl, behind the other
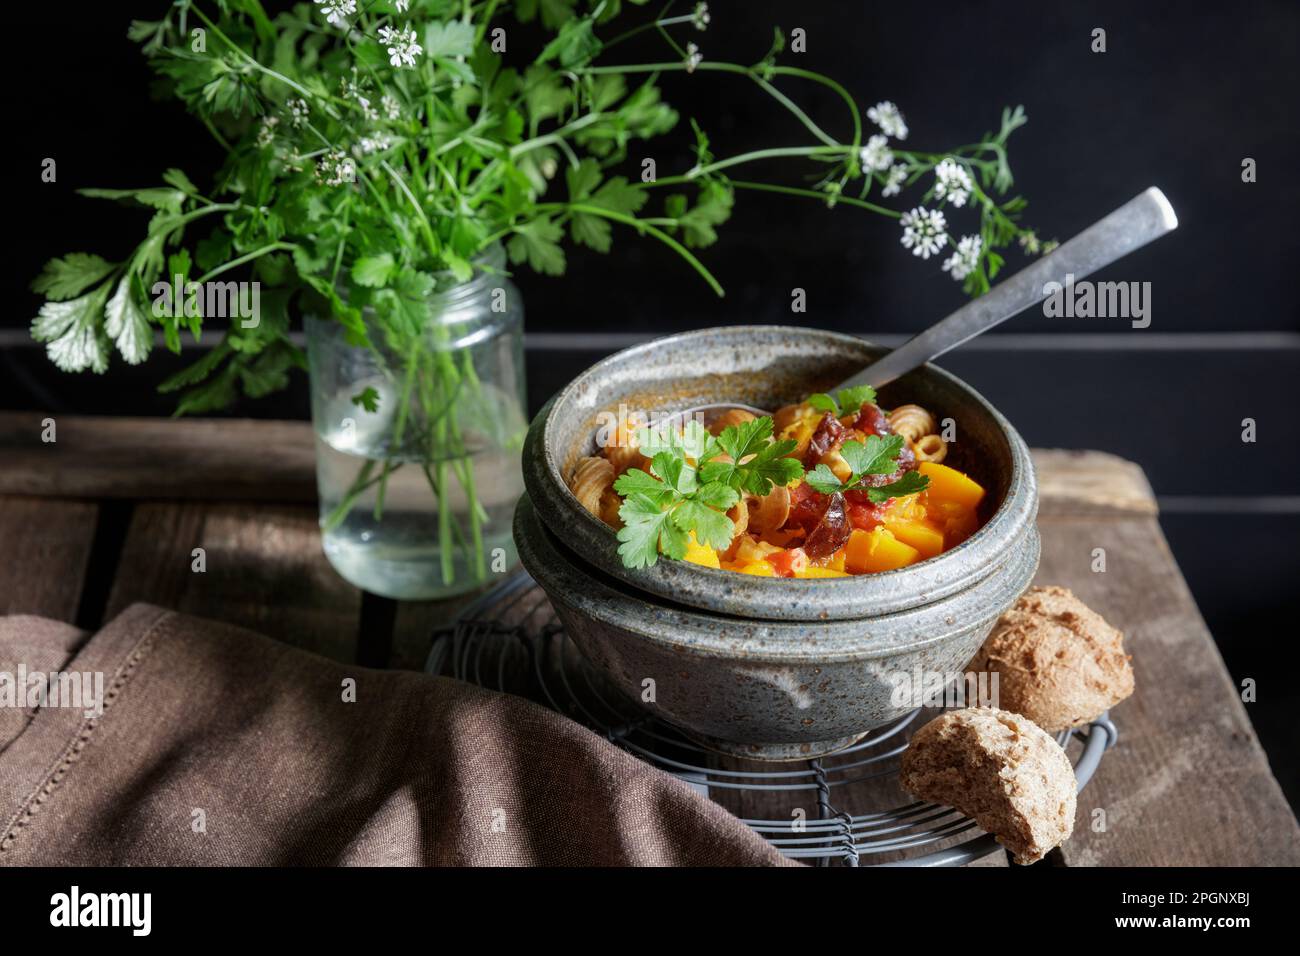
1058,661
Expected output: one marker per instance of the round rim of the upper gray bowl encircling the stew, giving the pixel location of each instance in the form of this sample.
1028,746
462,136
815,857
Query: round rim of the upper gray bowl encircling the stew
853,598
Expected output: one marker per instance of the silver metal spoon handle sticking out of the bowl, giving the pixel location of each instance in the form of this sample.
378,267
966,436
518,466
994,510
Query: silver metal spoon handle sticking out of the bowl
1133,226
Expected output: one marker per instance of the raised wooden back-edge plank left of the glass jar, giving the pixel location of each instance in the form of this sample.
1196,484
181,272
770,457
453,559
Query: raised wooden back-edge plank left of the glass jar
158,458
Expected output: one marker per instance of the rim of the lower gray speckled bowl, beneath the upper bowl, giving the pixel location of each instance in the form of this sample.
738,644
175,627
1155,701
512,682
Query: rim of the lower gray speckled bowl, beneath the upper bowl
569,581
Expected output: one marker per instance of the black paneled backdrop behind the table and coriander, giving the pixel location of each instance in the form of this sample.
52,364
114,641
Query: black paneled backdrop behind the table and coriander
1182,96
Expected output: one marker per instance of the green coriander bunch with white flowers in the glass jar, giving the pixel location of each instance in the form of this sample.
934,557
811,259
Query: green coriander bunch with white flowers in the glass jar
376,152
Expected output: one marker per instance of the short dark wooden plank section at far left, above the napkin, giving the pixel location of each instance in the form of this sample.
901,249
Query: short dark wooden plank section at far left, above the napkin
47,548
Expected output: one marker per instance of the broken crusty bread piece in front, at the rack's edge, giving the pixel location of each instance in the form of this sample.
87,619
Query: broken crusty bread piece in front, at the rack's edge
999,769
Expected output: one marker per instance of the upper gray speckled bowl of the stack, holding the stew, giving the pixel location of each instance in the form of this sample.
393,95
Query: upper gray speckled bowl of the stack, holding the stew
769,366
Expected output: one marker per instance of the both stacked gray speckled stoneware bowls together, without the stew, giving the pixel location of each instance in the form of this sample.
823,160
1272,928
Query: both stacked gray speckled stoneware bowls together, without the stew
772,669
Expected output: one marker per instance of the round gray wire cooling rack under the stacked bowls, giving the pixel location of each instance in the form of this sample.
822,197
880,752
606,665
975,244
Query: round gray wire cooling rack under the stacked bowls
844,810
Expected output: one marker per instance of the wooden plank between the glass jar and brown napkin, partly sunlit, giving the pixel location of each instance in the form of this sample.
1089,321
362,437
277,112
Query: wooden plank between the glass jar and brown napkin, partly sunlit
265,570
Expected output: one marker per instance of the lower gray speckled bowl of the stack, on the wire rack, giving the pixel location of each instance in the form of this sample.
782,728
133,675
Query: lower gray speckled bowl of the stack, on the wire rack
762,689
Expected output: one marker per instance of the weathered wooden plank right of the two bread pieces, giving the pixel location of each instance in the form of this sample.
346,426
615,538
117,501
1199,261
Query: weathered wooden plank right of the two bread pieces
1189,784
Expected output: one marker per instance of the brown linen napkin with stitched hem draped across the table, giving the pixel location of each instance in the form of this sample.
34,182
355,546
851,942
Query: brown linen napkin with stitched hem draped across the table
220,747
